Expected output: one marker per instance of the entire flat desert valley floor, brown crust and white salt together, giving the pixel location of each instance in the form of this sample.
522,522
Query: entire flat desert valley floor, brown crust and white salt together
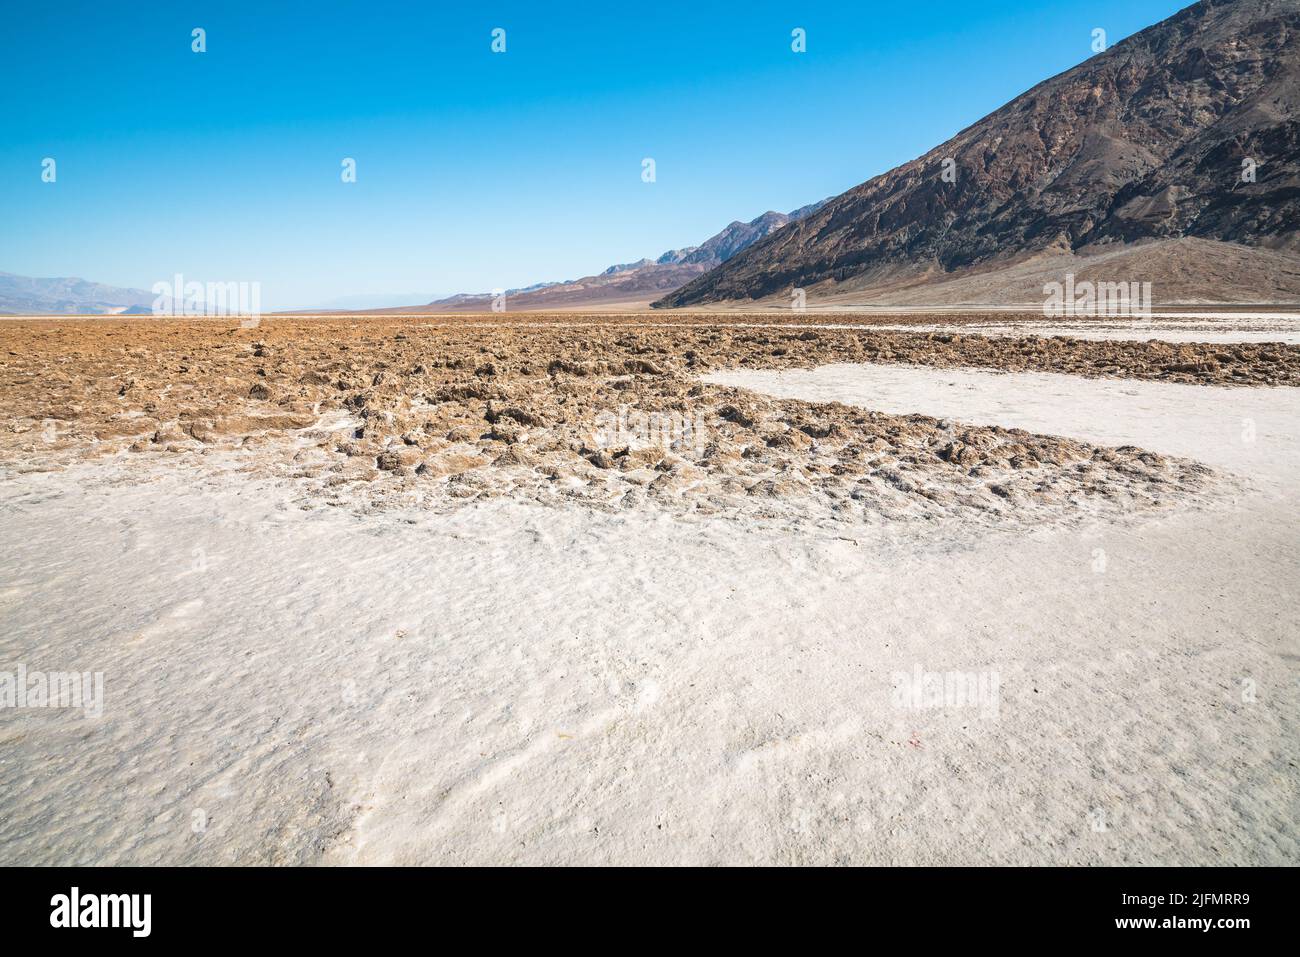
655,588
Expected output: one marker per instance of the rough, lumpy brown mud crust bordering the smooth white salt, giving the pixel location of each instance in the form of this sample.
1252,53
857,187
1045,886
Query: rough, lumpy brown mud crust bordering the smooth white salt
435,414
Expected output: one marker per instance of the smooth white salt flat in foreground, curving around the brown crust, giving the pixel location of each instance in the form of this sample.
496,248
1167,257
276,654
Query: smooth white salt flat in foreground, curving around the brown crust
521,685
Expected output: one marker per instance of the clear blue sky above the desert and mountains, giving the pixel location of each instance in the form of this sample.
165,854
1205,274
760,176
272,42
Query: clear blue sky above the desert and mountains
474,170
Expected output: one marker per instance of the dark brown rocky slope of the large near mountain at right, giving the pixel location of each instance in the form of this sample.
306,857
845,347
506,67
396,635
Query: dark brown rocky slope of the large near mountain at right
1147,141
